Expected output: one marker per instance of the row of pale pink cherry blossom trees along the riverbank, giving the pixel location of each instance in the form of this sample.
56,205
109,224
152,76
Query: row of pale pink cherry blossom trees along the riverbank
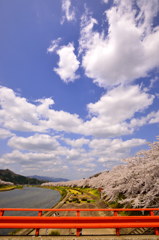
135,183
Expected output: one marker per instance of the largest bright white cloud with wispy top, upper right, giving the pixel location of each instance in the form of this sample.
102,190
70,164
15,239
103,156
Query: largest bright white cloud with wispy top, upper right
129,51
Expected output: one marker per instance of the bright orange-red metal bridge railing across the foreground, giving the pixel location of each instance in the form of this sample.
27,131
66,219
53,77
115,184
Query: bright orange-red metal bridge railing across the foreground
79,222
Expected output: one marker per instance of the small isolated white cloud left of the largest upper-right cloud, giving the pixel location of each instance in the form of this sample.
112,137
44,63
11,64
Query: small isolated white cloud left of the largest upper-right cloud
68,63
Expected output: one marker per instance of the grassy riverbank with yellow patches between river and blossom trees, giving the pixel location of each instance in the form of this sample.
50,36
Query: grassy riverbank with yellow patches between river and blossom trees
75,198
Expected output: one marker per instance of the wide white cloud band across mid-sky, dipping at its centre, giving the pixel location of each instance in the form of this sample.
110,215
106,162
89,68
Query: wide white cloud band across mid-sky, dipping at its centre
108,117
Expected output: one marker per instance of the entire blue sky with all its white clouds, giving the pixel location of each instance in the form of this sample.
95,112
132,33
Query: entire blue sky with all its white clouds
79,84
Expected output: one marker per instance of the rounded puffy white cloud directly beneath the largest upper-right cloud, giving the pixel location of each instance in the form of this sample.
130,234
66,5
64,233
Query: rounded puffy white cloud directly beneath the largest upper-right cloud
121,103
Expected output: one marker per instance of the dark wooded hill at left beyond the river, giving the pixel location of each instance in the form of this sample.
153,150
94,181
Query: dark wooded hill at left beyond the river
9,176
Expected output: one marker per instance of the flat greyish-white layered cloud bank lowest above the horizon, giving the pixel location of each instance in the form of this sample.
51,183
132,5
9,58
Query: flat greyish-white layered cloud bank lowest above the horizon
40,151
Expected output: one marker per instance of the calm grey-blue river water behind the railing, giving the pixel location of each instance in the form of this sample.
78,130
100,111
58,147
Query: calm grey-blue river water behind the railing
28,197
